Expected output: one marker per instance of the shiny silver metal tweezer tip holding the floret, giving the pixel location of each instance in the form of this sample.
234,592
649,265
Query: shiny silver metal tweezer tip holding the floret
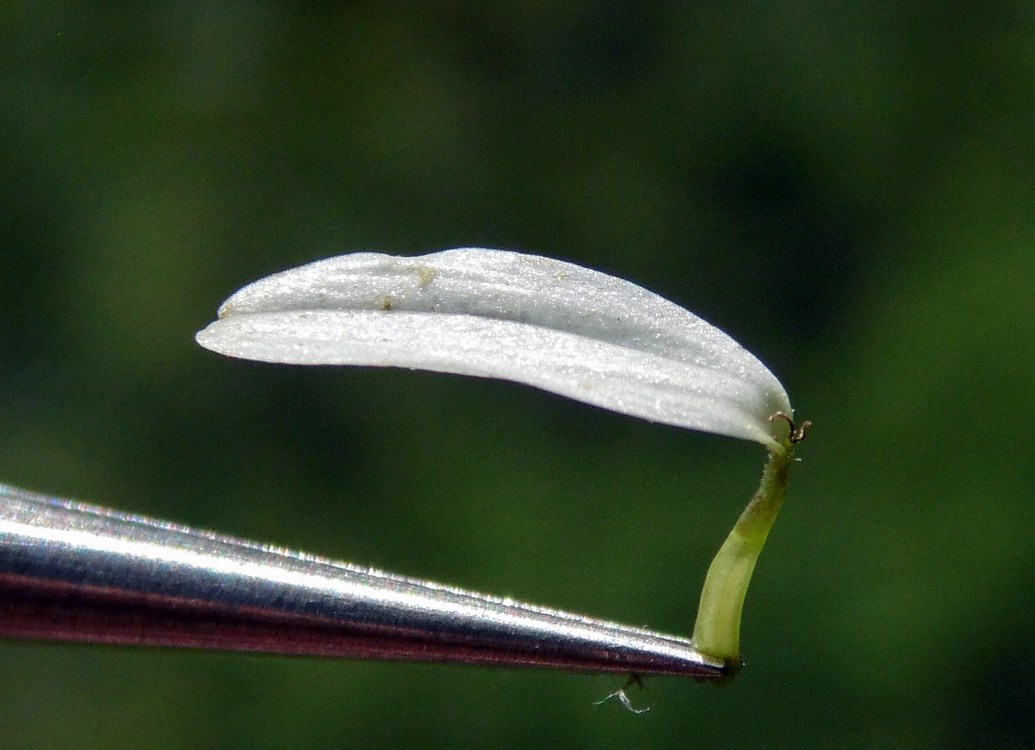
79,574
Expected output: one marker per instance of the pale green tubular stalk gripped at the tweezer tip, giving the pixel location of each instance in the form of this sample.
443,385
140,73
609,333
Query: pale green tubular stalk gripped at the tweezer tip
717,633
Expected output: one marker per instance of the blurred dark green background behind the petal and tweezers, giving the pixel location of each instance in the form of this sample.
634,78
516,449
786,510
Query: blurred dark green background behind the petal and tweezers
845,188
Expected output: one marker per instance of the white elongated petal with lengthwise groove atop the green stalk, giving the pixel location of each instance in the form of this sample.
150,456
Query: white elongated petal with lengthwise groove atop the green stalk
496,314
